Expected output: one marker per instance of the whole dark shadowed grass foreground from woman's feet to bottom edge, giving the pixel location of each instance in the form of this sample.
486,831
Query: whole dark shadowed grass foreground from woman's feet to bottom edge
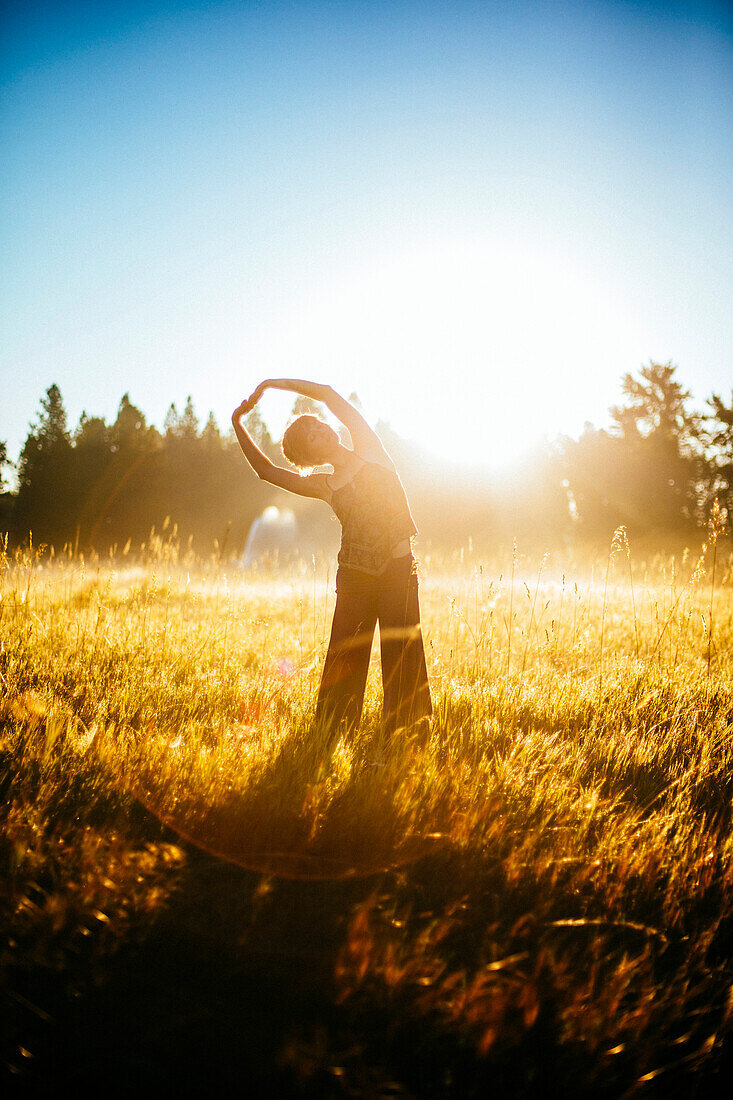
475,972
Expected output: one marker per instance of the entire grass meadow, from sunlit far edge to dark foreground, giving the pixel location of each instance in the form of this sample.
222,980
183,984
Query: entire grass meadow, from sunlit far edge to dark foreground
535,899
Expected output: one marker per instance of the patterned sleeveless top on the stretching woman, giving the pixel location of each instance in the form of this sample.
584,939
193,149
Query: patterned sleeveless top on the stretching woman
375,516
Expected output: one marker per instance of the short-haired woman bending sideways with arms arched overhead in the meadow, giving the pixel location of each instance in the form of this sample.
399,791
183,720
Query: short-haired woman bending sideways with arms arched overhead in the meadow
377,579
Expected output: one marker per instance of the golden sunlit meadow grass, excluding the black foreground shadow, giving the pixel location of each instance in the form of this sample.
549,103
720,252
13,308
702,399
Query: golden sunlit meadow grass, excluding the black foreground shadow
573,800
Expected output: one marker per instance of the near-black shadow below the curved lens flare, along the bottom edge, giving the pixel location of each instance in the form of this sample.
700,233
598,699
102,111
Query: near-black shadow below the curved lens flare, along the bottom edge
234,992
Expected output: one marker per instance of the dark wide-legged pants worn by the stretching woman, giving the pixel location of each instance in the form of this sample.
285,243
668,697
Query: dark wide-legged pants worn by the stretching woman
362,602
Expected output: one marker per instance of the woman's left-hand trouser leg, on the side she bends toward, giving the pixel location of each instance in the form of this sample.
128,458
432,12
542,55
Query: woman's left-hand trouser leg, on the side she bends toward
344,679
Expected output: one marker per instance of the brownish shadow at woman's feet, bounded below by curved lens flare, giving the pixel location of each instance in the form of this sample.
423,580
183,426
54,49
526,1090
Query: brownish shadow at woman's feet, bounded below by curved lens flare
293,821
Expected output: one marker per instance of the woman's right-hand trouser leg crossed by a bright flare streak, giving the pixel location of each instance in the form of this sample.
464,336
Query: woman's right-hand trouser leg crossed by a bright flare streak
404,673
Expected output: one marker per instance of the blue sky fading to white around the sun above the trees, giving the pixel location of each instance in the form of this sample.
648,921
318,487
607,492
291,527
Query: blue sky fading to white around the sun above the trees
476,215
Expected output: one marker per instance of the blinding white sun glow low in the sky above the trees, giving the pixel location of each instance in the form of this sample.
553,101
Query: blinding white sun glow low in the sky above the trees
477,351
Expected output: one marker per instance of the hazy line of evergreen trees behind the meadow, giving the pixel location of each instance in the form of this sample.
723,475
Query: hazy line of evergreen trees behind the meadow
657,470
